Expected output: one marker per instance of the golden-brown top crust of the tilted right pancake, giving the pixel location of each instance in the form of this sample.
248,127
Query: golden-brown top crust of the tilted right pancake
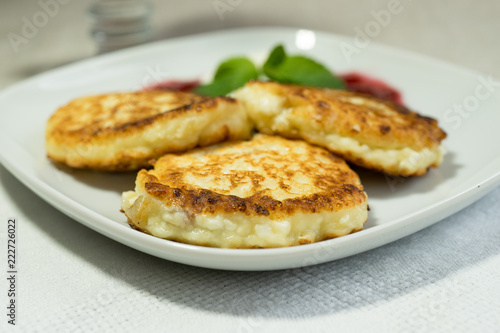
380,124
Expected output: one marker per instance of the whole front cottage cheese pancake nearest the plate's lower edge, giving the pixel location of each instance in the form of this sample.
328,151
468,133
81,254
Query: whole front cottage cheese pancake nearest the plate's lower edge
266,192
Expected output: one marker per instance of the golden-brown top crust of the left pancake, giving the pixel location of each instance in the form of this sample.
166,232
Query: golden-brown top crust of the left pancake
111,115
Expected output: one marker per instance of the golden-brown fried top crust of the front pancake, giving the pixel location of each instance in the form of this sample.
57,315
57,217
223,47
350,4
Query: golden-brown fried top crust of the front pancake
208,181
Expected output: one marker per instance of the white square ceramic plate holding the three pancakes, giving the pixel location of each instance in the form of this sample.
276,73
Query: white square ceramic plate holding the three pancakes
467,105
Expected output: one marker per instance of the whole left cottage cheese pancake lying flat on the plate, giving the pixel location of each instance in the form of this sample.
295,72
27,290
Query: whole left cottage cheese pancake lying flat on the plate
123,131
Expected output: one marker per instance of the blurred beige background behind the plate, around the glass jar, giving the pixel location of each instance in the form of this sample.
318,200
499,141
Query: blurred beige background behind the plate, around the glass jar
38,35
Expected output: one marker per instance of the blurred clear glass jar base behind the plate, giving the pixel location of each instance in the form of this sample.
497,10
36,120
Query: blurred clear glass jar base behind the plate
120,23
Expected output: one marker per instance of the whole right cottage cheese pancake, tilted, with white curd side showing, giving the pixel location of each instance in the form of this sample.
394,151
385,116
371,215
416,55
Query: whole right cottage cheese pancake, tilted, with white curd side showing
364,130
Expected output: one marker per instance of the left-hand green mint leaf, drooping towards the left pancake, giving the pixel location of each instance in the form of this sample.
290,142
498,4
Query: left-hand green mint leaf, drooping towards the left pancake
231,75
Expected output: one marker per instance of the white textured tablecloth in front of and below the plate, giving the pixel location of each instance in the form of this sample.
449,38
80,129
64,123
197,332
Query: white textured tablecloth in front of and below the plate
445,277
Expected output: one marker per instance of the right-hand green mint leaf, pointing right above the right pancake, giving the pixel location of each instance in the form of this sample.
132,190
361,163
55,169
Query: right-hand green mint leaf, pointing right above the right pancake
299,70
